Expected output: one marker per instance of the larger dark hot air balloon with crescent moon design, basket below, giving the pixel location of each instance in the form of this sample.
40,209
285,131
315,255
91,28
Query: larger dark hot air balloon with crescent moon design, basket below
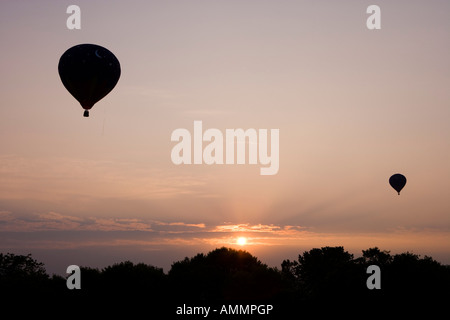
89,72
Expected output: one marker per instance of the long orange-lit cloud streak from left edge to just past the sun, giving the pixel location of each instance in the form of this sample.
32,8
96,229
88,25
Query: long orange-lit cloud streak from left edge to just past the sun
156,232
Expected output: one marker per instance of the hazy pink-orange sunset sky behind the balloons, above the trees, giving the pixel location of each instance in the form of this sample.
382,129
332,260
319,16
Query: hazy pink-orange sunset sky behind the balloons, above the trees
353,106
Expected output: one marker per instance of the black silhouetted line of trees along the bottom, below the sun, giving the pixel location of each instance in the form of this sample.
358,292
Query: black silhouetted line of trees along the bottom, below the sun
327,276
